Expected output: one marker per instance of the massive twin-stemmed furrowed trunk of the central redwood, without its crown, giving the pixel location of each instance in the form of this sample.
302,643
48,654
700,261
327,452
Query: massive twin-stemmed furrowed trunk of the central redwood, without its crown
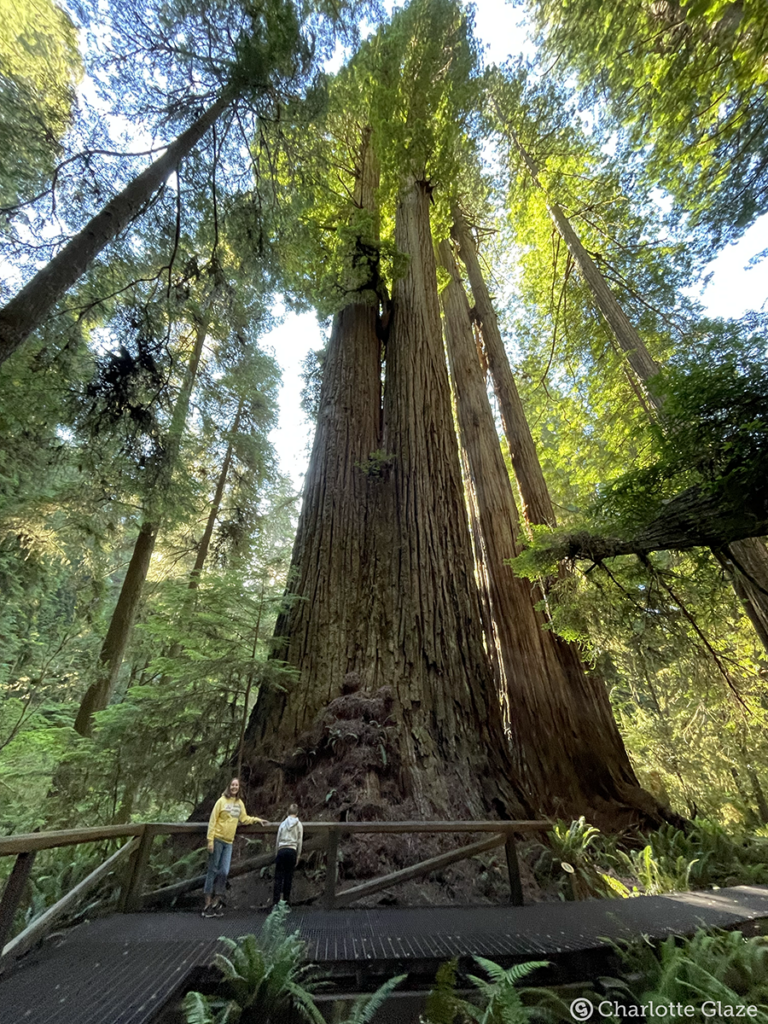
386,602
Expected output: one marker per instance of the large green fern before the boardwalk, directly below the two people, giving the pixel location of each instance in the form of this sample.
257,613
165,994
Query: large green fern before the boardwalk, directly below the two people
265,979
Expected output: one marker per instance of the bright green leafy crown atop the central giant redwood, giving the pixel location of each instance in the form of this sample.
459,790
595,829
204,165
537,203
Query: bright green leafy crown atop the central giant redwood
402,109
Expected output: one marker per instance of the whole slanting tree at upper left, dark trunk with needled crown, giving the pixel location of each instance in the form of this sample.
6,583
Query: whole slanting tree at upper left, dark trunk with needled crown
271,57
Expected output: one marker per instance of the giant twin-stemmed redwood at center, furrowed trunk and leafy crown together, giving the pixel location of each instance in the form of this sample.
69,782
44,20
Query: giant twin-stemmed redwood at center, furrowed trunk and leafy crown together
409,628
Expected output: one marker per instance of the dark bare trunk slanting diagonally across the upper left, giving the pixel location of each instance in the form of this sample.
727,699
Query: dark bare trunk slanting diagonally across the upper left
29,309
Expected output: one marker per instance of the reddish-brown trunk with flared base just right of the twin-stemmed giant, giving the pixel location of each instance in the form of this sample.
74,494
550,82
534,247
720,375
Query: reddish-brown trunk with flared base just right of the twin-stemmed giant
568,750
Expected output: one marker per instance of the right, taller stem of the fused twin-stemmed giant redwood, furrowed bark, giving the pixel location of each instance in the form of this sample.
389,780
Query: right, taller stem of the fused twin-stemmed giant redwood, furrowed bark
450,712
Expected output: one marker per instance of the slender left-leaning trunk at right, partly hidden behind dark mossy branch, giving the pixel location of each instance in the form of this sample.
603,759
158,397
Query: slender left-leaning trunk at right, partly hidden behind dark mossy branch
749,558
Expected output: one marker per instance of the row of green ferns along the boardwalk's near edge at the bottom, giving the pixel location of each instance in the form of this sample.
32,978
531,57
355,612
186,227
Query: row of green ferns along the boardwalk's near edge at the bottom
266,980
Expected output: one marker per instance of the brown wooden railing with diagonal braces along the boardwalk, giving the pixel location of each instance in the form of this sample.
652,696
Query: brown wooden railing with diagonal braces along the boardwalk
319,835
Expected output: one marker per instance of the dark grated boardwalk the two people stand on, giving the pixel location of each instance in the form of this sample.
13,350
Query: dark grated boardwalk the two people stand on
121,970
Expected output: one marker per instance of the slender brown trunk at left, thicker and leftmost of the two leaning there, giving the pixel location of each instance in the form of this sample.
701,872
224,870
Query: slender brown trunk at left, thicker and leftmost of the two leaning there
113,651
